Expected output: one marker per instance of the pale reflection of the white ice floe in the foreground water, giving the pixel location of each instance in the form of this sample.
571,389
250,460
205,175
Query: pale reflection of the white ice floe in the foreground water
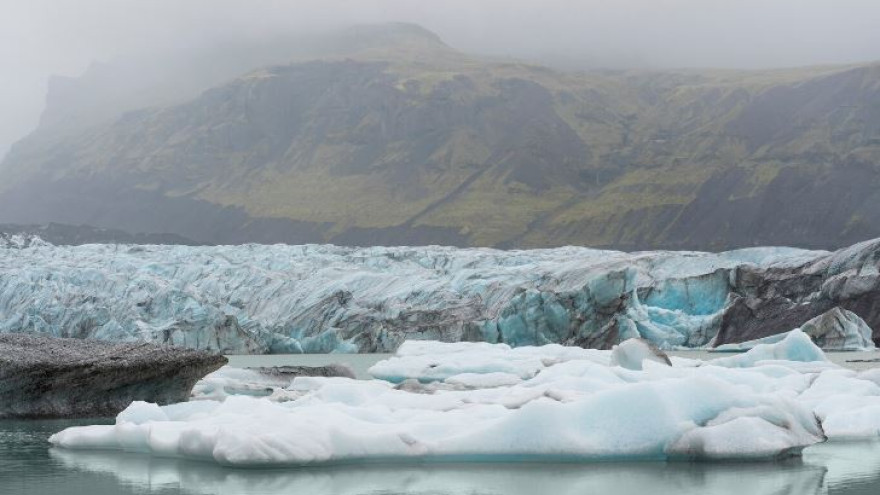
156,475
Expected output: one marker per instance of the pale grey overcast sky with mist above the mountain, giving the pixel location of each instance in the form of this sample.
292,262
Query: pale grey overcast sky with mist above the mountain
43,37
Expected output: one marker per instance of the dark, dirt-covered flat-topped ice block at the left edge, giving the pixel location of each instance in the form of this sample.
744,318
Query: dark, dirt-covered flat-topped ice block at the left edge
45,377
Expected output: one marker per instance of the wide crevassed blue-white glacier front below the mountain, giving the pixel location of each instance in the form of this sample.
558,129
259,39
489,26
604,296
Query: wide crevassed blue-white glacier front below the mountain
290,299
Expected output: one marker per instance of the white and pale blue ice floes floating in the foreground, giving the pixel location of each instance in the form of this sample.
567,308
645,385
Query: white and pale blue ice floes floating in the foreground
536,403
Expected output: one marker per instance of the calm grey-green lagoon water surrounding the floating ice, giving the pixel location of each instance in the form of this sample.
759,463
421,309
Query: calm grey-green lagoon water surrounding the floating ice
28,466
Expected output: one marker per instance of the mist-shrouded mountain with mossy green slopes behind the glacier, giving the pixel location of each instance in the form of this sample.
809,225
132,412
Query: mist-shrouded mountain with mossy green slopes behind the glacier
388,136
